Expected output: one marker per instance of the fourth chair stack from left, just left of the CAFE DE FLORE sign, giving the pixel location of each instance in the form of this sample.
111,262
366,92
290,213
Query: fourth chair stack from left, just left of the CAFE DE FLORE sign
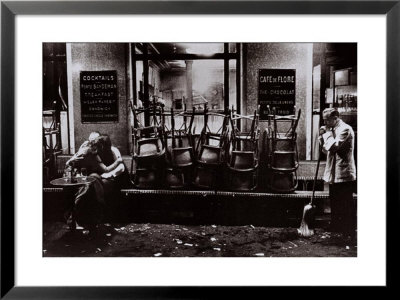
242,155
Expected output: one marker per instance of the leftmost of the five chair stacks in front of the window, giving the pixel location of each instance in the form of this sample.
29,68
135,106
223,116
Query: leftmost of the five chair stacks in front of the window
148,147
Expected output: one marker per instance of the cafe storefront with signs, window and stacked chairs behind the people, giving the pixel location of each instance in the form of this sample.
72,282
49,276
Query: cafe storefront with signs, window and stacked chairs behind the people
248,114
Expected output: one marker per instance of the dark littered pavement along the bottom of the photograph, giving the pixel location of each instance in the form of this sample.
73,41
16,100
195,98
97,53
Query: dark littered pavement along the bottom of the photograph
170,240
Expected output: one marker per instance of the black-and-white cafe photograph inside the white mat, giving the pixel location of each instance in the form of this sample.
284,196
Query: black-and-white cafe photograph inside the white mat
199,149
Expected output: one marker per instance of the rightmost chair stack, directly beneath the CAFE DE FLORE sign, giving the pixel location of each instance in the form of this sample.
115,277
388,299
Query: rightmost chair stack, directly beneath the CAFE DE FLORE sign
283,159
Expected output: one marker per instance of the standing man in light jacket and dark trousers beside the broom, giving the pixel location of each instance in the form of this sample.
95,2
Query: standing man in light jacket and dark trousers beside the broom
337,142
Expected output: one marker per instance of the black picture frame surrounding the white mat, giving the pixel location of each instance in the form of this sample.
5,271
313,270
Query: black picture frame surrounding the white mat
10,9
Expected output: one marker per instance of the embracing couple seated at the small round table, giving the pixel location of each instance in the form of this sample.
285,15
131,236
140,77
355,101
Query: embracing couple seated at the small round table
104,163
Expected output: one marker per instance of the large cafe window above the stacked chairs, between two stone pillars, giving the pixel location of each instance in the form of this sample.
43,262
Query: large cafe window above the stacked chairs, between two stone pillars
186,75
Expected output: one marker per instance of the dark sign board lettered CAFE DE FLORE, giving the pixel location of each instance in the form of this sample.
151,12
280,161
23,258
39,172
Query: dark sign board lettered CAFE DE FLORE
276,89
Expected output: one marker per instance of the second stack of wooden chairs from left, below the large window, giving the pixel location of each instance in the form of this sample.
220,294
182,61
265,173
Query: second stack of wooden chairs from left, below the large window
179,150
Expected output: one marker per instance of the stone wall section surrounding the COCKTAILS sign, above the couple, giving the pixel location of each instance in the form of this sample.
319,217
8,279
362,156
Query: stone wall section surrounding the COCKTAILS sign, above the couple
98,57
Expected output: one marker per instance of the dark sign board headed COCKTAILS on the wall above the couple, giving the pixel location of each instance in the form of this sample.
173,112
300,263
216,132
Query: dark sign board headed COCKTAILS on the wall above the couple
99,96
